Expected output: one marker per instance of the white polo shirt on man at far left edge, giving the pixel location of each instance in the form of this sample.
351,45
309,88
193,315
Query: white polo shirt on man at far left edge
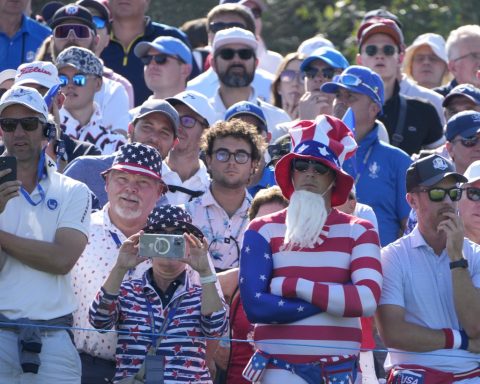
28,292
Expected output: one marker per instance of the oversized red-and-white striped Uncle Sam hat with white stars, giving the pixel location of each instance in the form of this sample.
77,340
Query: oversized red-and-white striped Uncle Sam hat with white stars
327,140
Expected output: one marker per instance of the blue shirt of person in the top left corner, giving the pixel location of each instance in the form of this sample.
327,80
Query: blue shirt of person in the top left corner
23,46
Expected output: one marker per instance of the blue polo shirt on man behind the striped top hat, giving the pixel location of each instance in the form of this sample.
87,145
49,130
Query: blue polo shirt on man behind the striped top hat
380,170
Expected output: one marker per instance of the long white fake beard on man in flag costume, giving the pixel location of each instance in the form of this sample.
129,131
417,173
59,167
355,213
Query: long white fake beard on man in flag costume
306,216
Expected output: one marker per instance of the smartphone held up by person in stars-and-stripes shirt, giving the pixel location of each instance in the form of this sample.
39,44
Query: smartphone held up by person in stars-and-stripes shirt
162,245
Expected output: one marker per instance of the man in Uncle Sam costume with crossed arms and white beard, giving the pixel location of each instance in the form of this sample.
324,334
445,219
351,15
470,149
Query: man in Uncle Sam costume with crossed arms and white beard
309,272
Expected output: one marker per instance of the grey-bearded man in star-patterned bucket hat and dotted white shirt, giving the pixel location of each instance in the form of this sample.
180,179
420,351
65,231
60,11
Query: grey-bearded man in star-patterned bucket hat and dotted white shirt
133,184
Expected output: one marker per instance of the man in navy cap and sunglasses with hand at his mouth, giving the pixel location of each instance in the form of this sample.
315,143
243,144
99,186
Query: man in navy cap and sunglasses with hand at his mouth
430,302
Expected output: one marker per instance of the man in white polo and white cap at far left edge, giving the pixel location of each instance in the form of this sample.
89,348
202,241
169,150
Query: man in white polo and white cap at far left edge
44,226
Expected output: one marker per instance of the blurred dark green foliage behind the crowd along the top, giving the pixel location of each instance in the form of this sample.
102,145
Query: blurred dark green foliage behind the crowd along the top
288,22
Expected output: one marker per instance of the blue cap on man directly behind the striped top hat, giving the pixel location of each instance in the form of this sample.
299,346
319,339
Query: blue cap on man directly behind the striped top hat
358,79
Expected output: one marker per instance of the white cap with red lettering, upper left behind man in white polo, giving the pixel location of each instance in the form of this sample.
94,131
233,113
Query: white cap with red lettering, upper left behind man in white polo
42,73
